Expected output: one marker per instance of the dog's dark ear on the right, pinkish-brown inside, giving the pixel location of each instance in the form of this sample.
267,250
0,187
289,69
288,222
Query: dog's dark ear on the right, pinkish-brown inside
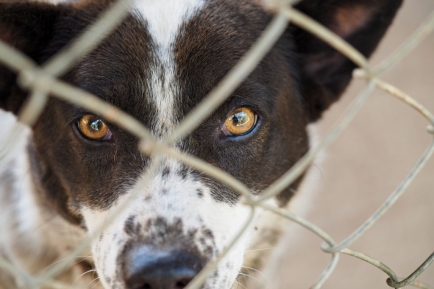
325,73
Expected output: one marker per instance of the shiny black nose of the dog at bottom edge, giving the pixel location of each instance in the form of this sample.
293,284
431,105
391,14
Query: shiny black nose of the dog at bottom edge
147,268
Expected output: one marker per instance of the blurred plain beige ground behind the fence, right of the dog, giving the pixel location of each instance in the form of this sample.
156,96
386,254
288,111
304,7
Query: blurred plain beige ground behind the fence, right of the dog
363,167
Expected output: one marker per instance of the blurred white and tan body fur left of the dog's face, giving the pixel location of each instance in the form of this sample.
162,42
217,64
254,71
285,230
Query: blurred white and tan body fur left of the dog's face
32,236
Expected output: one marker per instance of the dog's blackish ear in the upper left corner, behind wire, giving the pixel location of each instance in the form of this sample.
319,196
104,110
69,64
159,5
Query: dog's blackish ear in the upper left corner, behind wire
28,27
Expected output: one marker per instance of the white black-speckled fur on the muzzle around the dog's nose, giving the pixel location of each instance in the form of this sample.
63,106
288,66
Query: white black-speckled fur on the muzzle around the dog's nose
172,197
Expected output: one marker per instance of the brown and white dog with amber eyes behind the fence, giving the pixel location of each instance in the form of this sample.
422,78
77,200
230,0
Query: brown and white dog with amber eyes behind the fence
72,169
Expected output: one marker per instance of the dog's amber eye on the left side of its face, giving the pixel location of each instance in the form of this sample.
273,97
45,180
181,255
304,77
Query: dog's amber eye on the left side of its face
93,128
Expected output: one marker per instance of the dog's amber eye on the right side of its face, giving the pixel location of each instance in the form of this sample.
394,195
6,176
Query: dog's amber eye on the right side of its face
240,121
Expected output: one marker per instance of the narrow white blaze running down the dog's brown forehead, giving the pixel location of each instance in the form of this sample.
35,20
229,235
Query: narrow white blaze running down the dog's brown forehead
164,19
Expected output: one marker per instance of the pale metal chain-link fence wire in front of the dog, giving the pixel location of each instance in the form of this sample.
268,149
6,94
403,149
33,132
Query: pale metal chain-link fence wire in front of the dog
41,81
